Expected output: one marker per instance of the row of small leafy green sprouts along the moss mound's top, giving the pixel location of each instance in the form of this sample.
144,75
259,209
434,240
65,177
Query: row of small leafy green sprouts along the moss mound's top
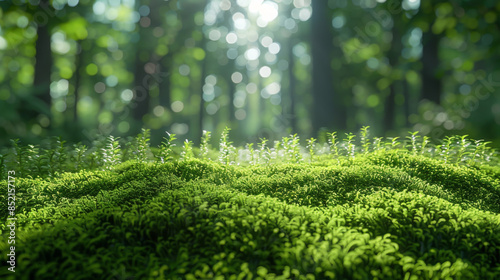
106,152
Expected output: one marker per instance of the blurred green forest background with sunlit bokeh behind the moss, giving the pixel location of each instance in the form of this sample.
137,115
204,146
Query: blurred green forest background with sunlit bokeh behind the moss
186,66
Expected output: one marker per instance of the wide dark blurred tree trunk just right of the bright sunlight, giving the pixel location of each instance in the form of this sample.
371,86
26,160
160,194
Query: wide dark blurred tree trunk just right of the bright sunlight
326,111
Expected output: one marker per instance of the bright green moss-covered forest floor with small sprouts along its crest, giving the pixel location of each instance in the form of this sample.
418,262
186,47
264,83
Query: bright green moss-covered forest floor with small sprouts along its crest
378,211
